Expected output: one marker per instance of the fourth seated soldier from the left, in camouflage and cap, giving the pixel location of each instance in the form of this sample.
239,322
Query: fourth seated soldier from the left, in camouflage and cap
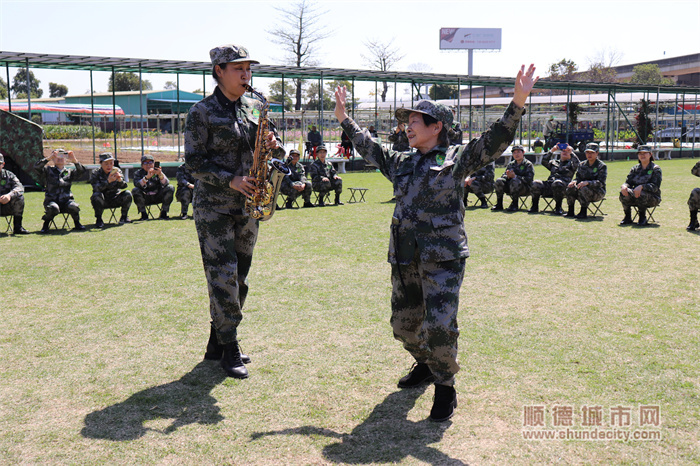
151,186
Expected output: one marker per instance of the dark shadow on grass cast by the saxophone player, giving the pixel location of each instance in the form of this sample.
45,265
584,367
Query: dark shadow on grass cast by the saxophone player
185,401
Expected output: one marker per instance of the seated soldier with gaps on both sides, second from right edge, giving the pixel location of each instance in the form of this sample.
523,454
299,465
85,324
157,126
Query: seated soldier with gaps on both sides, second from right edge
642,187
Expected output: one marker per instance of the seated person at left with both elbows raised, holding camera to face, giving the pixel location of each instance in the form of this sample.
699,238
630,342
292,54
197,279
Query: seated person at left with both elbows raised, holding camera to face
58,180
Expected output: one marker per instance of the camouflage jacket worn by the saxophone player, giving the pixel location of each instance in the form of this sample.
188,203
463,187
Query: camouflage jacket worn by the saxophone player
219,144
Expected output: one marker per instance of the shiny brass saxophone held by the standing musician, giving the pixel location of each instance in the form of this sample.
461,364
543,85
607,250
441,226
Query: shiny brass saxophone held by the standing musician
262,203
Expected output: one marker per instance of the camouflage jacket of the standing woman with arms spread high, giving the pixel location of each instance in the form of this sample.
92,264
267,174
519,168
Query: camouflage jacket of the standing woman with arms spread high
429,212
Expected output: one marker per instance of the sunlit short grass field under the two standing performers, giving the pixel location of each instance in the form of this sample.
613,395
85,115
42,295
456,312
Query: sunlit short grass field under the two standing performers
104,331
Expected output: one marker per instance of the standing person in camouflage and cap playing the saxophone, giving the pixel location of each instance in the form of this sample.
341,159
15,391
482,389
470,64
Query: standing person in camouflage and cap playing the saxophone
220,137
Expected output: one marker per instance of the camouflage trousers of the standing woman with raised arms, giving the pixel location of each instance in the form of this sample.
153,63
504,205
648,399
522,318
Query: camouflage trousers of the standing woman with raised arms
424,303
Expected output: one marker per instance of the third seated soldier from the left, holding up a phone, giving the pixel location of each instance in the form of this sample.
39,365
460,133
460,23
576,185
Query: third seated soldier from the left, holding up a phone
106,182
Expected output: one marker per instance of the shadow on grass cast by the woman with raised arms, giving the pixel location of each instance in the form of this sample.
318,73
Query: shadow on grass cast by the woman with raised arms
386,436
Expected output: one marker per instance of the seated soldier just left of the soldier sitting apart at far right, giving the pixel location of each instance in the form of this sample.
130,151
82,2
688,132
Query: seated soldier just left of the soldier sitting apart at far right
589,185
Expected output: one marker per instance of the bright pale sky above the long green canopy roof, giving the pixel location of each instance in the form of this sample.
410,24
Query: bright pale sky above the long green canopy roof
541,32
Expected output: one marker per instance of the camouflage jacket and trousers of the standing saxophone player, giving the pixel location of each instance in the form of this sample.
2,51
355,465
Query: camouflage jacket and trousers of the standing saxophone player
219,143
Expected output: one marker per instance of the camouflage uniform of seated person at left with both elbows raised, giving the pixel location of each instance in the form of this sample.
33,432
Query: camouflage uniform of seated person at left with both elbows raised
58,197
